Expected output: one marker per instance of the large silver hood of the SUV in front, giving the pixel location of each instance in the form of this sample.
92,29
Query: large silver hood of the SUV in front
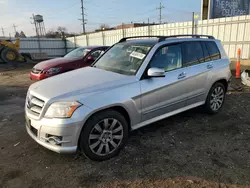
81,82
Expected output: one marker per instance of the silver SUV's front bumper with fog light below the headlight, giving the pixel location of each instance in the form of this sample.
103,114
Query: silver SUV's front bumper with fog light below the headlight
66,131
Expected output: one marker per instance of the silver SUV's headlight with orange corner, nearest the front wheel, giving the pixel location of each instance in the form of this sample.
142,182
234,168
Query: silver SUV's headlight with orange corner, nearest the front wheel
62,109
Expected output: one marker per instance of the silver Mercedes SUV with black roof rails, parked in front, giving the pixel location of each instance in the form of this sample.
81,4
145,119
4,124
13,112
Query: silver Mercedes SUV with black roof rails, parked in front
135,83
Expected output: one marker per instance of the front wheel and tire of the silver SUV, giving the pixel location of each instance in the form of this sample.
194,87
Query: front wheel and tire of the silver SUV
96,147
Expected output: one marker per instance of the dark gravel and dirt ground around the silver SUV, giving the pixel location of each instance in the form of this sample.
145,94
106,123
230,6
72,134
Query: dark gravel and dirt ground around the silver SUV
191,149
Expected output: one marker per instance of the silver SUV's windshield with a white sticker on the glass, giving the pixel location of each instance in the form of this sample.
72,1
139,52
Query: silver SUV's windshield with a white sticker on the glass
124,58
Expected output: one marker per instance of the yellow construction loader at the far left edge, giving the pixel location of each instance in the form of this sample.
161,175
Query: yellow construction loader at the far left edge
9,52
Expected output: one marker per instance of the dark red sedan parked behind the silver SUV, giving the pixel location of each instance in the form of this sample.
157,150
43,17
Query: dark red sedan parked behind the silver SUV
78,58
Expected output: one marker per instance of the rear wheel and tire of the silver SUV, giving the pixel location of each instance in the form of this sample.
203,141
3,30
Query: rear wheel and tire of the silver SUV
215,98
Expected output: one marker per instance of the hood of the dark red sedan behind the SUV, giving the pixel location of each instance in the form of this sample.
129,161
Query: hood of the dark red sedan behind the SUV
52,63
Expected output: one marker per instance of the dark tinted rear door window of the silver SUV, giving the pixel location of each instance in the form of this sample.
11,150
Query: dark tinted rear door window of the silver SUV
192,53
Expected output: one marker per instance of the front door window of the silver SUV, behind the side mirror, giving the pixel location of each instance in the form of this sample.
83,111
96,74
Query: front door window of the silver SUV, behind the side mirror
168,58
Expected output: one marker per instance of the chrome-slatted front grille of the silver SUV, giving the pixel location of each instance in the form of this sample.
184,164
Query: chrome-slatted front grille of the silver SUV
34,105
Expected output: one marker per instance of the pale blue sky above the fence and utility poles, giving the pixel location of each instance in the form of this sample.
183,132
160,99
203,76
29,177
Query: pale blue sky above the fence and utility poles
112,12
